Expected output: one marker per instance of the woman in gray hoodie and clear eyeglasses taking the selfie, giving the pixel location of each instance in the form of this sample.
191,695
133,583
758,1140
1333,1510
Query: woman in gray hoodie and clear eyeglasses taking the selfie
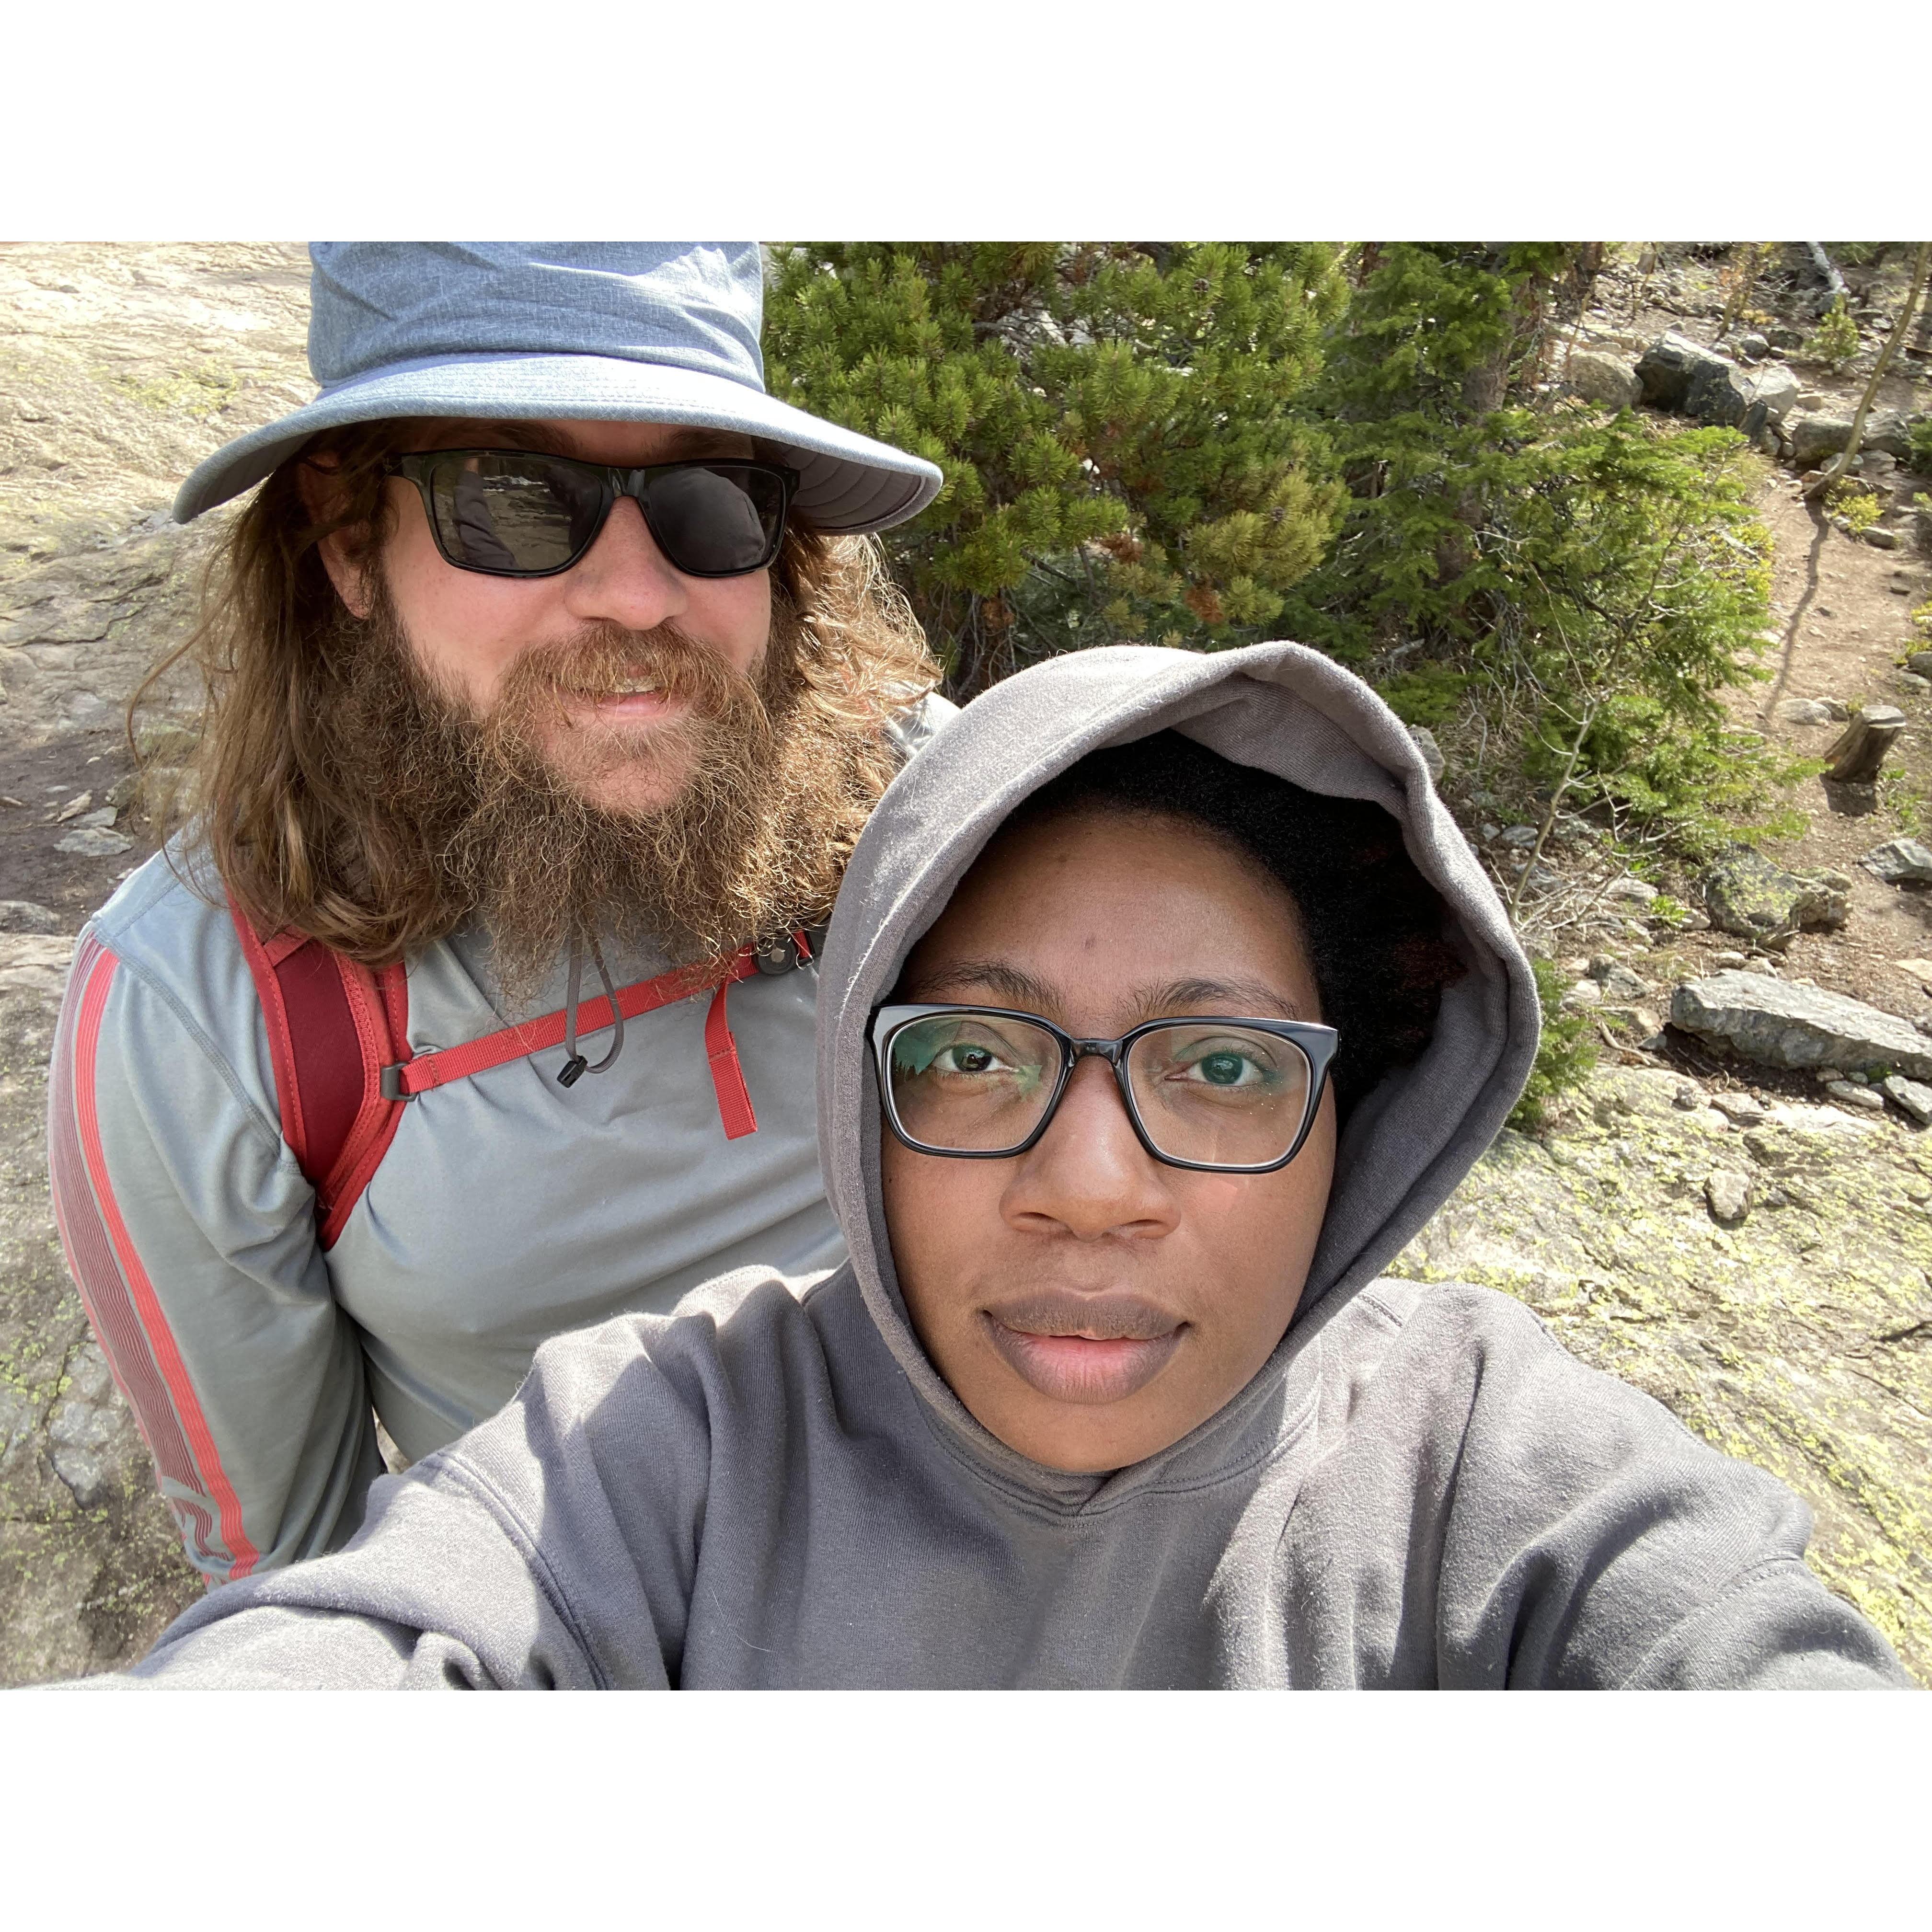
1164,1004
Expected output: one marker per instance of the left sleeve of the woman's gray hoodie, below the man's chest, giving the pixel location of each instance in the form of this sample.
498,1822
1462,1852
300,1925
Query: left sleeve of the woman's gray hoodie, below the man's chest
550,1548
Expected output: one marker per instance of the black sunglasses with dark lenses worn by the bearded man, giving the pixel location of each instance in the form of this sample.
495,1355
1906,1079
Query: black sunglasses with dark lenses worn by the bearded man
525,515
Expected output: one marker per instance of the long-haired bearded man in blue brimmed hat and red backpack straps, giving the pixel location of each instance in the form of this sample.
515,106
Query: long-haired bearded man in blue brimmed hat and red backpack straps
548,646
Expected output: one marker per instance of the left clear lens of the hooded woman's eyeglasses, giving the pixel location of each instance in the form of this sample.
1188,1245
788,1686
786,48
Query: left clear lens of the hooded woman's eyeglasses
971,1083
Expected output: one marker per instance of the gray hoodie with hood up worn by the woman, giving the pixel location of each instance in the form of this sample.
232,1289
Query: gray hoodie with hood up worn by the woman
774,1487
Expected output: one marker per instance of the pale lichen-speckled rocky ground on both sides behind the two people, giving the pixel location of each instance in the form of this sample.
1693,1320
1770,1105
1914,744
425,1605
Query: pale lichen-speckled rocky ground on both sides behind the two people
1749,1243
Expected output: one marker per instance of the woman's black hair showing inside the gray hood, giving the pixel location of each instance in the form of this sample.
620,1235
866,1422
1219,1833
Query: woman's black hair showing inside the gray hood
1371,923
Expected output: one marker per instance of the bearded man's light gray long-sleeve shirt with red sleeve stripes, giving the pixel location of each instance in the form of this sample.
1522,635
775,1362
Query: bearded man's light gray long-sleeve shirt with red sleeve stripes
507,1208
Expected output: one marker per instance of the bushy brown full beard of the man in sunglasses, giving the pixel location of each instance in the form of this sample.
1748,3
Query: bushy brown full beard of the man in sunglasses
772,789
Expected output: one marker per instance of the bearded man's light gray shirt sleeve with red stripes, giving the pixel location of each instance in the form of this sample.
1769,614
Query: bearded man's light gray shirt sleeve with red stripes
190,1232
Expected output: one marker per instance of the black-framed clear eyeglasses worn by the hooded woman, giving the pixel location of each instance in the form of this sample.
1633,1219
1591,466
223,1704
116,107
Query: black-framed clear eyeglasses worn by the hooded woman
1214,1093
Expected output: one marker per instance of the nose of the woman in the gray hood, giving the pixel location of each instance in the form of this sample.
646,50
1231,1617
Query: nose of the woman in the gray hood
1091,1174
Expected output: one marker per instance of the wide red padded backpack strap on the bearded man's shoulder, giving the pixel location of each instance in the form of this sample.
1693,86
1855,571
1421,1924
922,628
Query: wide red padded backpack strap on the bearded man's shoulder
333,1027
